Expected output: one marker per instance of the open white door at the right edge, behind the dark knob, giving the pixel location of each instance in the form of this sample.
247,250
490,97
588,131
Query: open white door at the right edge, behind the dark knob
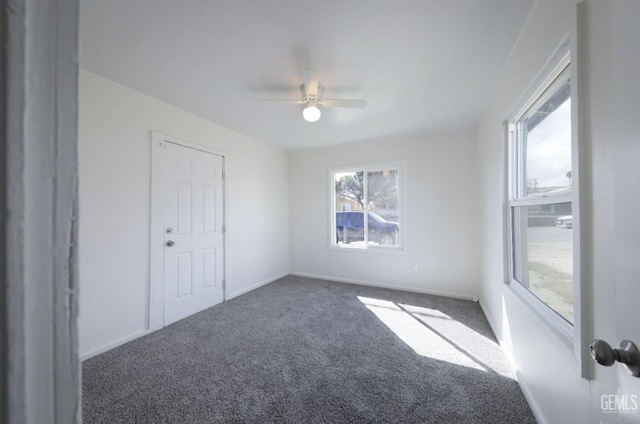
626,136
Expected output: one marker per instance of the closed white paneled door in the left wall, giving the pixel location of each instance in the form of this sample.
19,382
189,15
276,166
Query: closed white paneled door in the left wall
192,210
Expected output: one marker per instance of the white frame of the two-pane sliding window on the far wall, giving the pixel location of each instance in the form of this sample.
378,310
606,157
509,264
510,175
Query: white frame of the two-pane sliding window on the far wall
366,168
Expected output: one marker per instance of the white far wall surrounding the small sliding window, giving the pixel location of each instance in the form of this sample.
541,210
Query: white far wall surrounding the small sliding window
441,232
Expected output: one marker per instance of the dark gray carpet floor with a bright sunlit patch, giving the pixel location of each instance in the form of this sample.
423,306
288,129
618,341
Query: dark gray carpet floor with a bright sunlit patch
301,350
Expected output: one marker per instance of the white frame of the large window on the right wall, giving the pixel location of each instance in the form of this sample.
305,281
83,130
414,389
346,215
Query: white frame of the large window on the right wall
571,335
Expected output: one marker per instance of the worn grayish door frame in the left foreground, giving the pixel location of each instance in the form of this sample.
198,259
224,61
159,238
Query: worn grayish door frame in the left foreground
39,364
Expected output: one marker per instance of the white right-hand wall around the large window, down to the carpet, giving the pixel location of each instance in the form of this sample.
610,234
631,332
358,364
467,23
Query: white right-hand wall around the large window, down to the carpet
545,364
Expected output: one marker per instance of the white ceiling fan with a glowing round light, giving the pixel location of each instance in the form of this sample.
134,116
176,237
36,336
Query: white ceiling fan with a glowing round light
312,97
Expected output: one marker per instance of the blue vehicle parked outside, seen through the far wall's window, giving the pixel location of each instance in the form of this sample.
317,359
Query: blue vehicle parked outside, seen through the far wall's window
350,228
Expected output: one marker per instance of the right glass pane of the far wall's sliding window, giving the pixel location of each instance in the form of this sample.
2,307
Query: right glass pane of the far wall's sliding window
383,207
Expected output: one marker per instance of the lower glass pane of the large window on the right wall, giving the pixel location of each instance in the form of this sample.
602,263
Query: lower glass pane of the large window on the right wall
543,254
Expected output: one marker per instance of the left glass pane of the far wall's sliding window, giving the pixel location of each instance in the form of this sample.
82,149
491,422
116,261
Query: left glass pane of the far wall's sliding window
349,201
